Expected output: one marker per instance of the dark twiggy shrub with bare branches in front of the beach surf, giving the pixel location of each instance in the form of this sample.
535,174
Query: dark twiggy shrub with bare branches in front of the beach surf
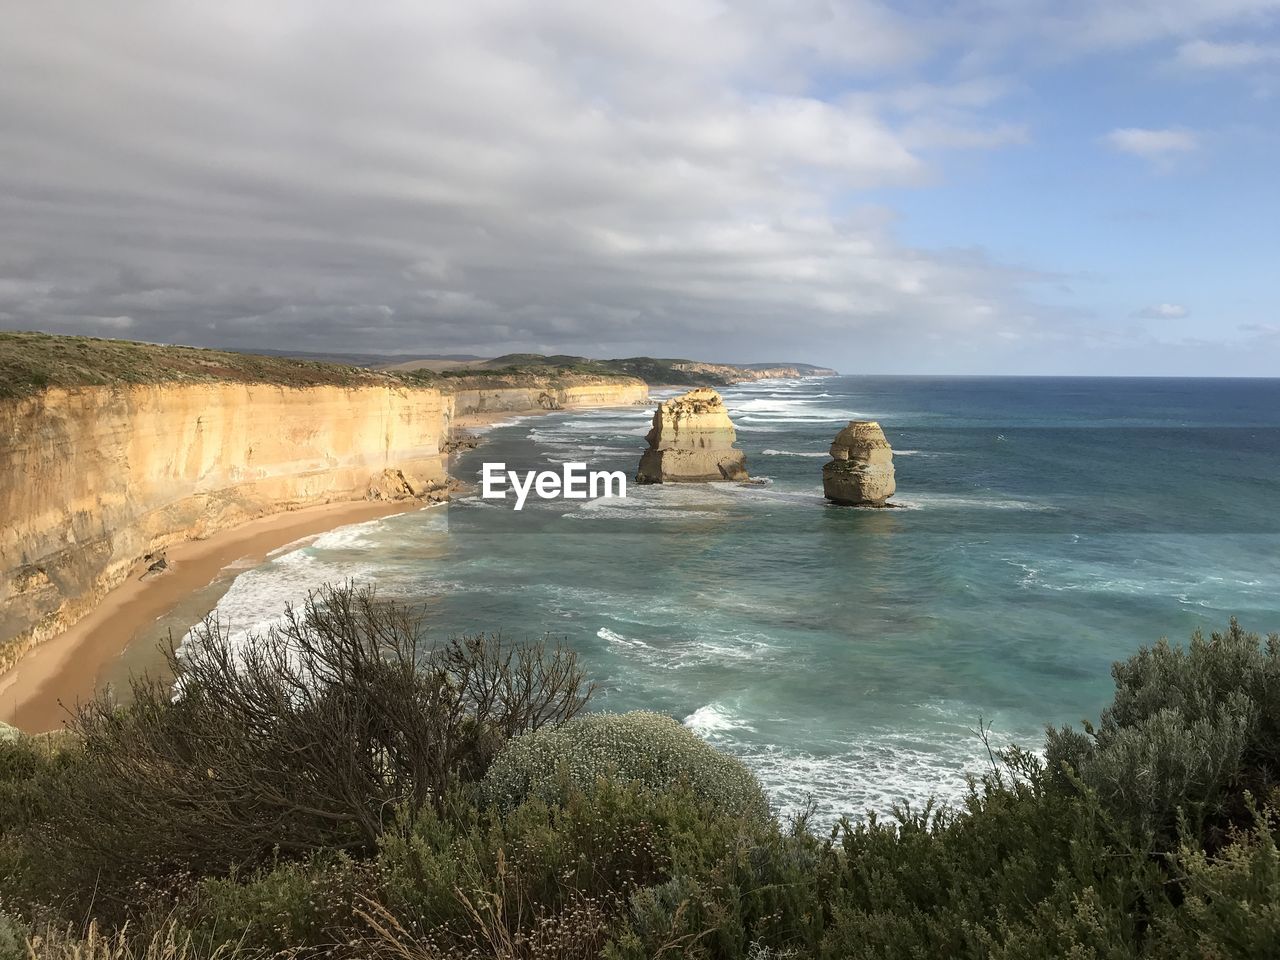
304,739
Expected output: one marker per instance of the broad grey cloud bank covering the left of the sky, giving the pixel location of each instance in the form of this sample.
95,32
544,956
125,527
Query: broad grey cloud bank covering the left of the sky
483,177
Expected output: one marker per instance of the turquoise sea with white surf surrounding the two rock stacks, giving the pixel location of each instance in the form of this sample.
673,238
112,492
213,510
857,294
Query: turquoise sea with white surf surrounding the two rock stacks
1050,527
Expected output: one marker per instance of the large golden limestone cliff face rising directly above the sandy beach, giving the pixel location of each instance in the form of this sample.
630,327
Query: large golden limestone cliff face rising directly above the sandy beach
94,479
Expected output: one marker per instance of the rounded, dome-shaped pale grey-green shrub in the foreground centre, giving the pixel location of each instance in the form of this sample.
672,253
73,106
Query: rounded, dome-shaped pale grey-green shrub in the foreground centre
636,748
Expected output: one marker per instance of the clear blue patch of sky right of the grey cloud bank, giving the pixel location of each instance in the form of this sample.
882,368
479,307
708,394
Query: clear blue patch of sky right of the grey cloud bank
1192,230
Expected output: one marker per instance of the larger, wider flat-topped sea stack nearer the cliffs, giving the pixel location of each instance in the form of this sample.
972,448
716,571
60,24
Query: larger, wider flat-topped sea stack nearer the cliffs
692,441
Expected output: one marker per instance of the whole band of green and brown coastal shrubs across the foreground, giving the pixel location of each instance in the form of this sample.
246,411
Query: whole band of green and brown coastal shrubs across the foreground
341,788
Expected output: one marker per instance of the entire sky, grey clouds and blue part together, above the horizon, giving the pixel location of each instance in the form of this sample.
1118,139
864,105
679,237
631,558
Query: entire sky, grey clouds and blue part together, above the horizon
967,188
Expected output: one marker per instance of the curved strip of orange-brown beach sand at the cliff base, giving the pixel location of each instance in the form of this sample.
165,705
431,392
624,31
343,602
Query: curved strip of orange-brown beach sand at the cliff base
36,694
